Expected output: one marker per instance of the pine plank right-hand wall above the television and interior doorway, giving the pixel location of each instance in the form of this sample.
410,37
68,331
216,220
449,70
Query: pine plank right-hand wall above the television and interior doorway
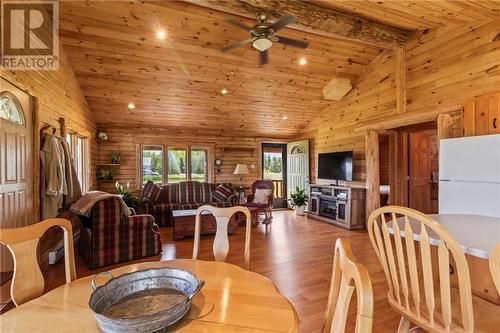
444,67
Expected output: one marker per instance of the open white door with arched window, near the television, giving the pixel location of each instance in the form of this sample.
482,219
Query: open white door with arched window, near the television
297,165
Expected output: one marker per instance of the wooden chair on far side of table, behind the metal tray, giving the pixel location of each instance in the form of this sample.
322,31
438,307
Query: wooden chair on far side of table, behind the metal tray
221,241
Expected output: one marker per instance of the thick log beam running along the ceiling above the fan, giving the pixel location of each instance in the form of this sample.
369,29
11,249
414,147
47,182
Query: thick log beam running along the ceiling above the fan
314,19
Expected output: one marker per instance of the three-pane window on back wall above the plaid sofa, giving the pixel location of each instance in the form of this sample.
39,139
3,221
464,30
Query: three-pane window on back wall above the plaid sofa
180,163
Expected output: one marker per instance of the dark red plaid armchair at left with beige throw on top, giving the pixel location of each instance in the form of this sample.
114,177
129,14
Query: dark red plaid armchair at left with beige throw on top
109,237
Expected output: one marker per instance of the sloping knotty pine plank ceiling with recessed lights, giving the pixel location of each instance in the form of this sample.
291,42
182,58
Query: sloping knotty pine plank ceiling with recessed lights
117,59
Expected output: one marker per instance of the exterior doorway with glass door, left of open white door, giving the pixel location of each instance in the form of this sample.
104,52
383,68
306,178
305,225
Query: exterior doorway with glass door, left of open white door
274,168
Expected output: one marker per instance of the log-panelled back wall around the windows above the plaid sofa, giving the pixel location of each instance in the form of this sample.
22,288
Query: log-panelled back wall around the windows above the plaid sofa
230,149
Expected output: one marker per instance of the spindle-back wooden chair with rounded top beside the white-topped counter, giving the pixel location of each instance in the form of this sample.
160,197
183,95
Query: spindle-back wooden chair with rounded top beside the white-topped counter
439,307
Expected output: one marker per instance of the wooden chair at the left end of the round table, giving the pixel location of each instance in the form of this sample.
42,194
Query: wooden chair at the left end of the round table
28,282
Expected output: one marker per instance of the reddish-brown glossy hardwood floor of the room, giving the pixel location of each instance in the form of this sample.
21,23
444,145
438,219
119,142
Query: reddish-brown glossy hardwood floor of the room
296,253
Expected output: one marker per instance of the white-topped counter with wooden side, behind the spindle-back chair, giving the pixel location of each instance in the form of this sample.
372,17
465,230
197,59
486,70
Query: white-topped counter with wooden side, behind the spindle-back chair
477,235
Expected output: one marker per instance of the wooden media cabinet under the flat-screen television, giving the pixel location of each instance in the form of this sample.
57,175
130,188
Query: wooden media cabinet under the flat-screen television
343,206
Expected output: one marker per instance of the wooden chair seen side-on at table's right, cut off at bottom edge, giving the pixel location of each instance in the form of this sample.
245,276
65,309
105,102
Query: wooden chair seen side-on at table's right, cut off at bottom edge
347,276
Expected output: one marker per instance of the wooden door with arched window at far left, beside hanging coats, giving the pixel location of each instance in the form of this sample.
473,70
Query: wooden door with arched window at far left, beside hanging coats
16,162
